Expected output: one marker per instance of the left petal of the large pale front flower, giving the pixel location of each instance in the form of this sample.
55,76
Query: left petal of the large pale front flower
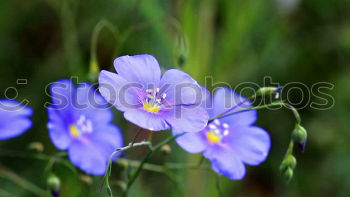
117,91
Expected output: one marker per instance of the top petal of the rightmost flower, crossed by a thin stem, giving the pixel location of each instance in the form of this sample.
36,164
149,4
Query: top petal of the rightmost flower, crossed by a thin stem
227,101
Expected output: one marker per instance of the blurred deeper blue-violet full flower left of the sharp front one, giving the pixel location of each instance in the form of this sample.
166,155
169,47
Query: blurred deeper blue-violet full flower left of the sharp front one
80,122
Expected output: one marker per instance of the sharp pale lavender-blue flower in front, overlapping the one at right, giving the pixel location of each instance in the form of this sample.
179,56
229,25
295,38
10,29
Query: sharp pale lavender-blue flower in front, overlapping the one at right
151,100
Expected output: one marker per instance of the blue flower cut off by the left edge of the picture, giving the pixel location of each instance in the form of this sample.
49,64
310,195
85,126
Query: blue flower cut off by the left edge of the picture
14,119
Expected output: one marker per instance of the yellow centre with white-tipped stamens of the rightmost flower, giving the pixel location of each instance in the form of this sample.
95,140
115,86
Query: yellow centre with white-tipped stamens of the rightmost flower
216,131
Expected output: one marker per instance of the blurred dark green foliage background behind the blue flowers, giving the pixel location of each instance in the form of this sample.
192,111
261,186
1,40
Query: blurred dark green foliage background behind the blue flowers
233,41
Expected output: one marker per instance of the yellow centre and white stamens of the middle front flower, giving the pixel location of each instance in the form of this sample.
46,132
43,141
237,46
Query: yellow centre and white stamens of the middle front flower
153,101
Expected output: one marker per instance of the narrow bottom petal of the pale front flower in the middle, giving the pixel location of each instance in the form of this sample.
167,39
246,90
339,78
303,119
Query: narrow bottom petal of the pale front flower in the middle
146,120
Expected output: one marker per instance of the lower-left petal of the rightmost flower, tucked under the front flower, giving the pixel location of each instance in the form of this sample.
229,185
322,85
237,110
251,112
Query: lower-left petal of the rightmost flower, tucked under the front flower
191,142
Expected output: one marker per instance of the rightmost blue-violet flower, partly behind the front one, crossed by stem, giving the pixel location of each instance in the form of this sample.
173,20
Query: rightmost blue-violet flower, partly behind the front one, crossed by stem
229,142
